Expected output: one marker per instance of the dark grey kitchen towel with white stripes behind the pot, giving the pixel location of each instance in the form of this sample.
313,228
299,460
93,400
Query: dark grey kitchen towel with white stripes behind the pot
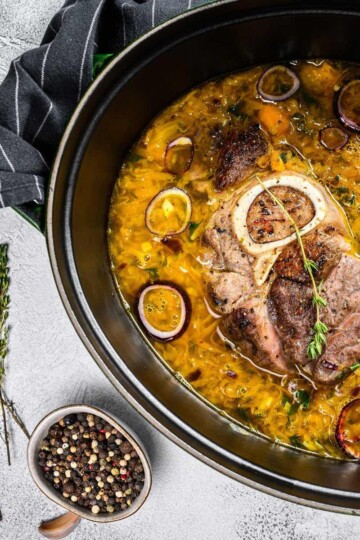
44,86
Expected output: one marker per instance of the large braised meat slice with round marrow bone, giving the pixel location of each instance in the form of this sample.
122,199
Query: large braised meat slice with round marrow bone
271,321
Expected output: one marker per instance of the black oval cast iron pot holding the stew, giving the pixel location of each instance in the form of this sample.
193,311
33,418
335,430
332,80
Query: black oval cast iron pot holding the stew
140,82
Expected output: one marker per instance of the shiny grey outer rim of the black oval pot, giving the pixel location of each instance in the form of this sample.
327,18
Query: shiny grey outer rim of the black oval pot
308,490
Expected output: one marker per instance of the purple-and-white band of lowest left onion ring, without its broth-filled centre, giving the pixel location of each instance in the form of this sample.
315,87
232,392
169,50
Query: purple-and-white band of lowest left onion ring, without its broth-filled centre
185,314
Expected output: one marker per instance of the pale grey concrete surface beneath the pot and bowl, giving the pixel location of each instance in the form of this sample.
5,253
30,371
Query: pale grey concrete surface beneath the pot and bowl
48,366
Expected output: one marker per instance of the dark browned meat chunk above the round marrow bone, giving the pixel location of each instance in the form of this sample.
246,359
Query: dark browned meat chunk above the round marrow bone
239,154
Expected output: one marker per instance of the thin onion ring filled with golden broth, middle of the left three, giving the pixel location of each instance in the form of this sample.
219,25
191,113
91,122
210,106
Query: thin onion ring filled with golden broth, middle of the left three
169,212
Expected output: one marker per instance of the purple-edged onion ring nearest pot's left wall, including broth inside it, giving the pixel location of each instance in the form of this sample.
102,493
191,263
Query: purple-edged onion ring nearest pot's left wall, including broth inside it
154,299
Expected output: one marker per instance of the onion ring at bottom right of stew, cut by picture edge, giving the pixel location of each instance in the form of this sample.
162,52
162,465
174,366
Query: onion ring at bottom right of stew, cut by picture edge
348,429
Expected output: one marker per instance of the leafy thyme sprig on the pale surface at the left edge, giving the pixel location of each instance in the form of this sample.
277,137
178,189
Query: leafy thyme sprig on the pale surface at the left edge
4,332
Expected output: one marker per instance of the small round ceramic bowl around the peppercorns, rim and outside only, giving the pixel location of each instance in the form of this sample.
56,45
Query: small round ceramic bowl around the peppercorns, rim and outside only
41,431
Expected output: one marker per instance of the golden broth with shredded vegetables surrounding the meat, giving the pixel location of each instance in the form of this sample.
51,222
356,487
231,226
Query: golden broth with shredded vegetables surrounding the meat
285,409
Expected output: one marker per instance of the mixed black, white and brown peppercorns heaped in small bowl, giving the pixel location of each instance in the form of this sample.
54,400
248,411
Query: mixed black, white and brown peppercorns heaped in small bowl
91,463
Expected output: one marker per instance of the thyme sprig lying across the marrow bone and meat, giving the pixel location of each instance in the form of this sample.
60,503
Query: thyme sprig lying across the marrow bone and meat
319,330
